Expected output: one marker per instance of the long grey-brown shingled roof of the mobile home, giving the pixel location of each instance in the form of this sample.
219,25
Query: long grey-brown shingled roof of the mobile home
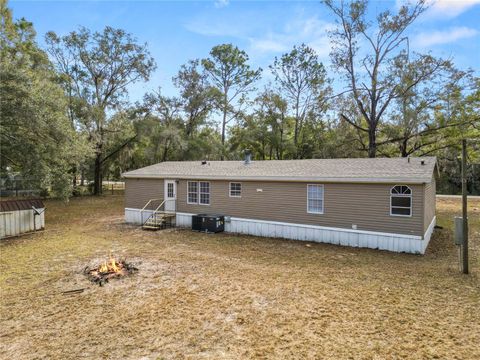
379,170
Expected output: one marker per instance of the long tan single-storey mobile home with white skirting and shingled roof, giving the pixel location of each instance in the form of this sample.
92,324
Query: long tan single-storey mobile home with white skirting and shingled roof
381,203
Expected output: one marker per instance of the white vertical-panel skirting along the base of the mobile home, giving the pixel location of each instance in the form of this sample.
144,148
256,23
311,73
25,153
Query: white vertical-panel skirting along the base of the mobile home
338,236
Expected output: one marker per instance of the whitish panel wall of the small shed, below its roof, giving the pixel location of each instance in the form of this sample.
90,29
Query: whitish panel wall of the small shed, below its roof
14,223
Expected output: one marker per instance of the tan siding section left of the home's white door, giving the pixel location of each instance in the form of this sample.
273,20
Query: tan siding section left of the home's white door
139,191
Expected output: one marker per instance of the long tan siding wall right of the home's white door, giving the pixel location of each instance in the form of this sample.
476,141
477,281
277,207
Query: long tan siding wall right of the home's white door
366,205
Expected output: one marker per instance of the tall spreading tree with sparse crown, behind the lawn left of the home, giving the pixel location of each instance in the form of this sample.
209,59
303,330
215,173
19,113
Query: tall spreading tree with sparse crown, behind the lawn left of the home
97,68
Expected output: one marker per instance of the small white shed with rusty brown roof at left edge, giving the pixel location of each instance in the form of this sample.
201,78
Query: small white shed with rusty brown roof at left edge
21,216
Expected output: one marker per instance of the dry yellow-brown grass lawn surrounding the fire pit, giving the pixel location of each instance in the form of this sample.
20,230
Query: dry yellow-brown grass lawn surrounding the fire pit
223,296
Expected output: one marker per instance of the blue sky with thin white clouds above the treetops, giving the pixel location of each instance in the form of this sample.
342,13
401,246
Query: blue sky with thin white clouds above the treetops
177,31
